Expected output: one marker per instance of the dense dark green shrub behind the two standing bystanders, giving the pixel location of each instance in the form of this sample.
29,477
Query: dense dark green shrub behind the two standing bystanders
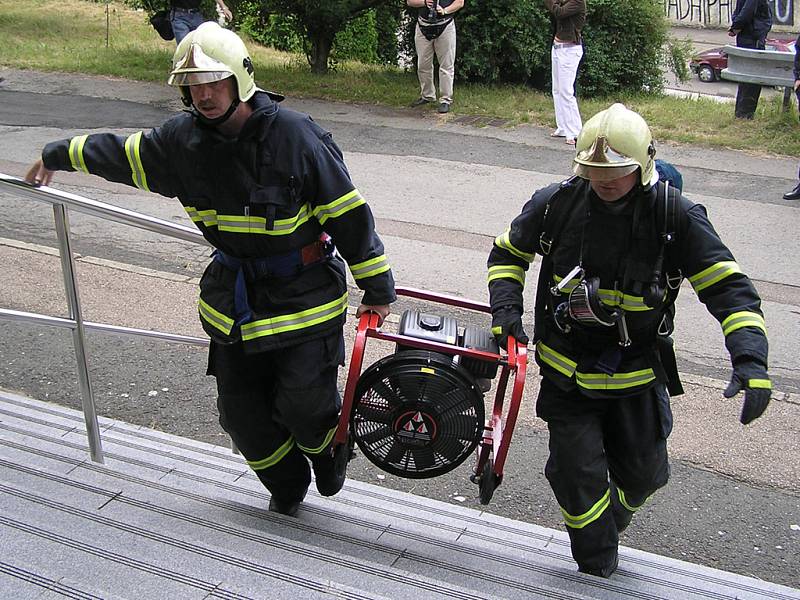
508,41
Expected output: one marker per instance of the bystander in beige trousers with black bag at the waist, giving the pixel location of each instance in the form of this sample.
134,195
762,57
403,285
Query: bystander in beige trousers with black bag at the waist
435,34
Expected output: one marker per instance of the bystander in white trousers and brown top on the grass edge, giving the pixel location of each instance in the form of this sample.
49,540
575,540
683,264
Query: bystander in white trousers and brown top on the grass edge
565,56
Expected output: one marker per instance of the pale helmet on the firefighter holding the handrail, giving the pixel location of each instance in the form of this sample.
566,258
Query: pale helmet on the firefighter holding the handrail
211,53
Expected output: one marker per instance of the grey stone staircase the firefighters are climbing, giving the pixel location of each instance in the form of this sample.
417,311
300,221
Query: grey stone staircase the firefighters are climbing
171,518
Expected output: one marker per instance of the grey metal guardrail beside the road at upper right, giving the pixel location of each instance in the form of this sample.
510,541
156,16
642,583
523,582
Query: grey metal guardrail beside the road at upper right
763,67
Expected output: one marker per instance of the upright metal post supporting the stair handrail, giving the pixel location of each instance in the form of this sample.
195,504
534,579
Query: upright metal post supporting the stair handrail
78,336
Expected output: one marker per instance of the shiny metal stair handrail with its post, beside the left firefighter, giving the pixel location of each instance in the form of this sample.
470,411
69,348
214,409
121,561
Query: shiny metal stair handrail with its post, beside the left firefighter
62,201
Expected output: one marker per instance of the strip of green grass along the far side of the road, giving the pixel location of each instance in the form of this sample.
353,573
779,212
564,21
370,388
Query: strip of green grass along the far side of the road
70,36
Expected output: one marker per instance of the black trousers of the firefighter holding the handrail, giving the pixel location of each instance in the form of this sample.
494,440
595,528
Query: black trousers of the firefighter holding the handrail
272,402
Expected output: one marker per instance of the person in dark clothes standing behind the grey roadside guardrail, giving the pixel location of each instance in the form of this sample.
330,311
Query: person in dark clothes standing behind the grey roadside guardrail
750,23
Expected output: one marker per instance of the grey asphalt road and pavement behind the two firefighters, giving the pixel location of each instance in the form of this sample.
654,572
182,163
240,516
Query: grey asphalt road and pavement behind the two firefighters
441,191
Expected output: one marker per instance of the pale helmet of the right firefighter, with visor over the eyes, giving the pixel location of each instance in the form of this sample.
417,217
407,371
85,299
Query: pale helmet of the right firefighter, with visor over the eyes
613,143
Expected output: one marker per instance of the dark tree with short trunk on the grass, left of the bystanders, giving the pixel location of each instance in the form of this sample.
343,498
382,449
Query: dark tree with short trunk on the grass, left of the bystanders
319,20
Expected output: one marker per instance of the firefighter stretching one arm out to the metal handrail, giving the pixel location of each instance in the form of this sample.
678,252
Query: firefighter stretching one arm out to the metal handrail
266,186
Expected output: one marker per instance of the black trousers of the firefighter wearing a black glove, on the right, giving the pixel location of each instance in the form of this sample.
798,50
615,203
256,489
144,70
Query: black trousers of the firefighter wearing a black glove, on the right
599,447
